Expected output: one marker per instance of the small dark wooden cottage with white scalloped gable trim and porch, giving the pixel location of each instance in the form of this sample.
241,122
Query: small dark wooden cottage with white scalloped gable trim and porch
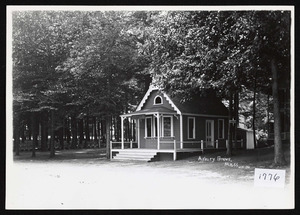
165,125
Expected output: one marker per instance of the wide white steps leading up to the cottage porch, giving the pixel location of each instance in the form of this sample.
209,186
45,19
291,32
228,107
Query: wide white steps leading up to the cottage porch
137,155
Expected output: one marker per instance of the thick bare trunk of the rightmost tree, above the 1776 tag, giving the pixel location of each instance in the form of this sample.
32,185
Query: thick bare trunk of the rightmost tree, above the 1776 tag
278,150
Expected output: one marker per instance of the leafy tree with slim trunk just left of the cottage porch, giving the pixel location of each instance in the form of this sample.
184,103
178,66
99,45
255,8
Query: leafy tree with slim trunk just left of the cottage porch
100,71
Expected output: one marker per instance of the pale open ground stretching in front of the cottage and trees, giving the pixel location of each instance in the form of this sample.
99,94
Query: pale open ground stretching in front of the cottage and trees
78,179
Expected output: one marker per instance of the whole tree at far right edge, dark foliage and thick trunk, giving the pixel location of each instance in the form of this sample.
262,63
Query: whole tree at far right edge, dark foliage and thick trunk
274,28
